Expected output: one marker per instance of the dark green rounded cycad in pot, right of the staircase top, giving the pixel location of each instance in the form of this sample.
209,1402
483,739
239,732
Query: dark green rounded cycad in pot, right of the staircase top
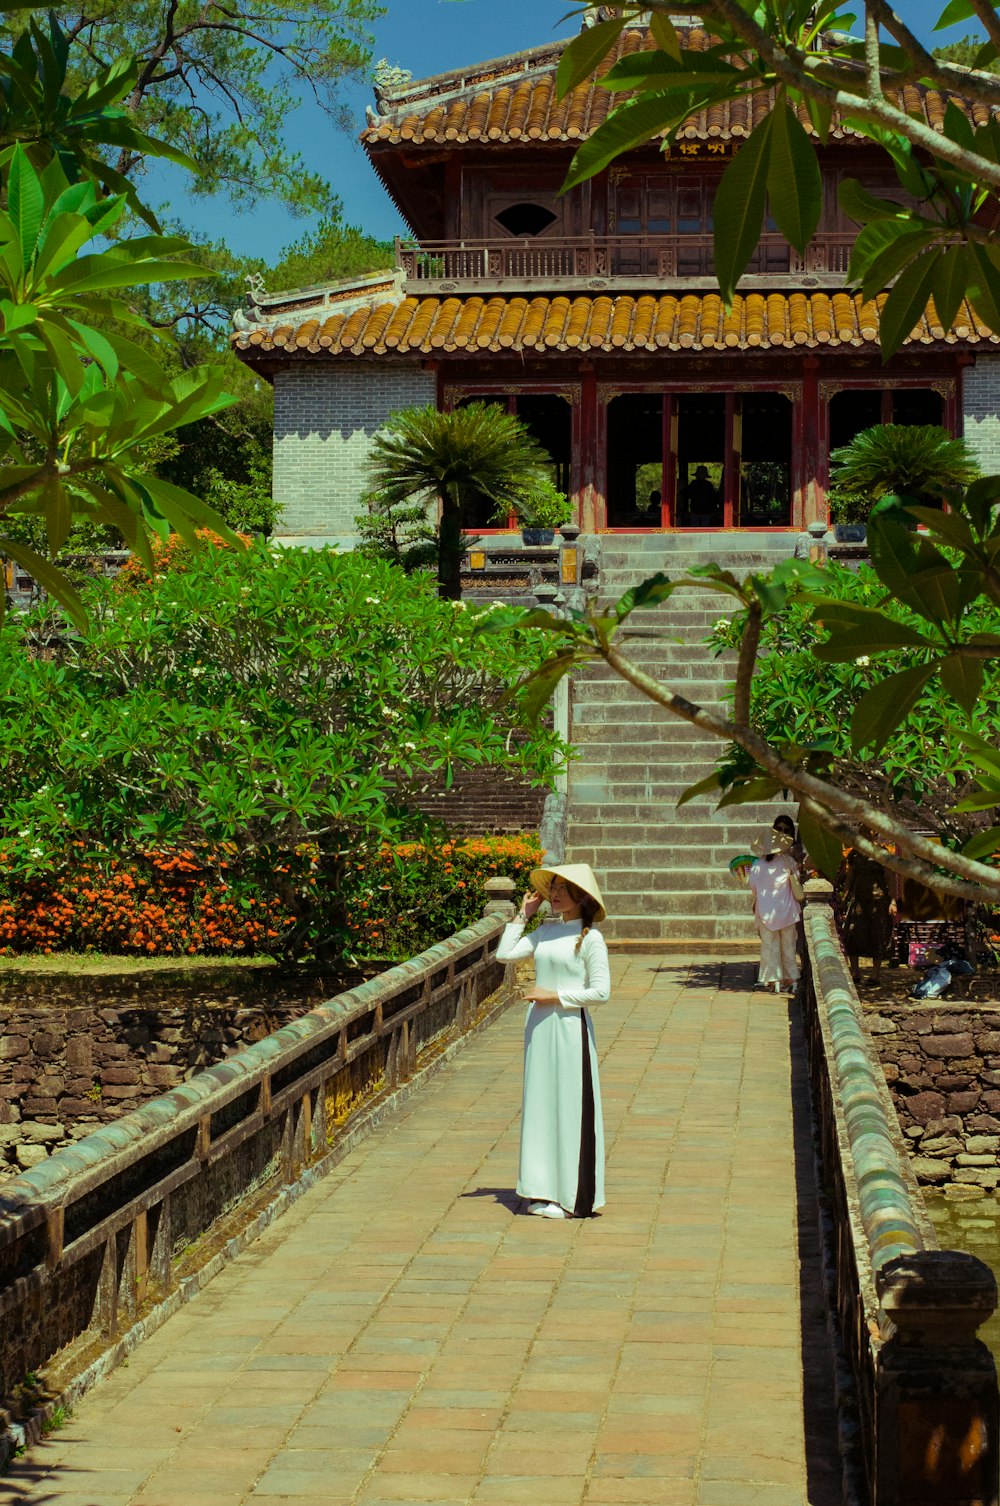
898,463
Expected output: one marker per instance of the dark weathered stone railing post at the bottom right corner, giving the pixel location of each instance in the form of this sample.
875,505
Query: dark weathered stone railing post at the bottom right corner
936,1398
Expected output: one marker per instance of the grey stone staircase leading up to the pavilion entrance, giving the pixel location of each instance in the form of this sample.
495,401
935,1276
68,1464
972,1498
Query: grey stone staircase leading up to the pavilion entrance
663,871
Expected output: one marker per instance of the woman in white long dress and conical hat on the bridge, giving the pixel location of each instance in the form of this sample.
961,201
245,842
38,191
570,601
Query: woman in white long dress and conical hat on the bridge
562,1133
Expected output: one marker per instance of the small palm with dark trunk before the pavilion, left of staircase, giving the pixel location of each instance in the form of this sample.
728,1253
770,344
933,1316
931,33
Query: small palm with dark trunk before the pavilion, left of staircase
480,450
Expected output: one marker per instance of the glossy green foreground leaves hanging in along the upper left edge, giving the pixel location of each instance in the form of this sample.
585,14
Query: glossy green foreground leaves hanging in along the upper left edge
81,400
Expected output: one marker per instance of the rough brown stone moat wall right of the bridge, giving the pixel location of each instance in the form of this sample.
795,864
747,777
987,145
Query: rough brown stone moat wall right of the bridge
944,1069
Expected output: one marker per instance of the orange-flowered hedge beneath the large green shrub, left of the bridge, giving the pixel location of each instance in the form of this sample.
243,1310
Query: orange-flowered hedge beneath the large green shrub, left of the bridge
189,903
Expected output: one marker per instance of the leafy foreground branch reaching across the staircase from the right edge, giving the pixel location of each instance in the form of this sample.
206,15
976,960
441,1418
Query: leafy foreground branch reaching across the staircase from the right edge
948,636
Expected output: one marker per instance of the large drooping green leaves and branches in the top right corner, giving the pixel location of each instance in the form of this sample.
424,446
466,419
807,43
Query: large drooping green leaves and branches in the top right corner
937,240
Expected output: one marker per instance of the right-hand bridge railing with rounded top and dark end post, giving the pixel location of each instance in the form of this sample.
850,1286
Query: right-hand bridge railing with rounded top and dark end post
921,1425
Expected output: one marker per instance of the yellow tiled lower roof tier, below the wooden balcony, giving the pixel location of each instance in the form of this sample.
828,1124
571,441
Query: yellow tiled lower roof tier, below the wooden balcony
602,323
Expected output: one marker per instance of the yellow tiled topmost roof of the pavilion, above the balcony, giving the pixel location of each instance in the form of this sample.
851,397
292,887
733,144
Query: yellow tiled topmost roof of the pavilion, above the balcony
498,105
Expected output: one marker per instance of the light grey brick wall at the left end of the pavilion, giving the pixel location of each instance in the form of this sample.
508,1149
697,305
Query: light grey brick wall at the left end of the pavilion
325,422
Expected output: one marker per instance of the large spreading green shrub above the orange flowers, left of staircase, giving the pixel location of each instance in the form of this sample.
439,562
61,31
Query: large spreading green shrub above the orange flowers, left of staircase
288,709
